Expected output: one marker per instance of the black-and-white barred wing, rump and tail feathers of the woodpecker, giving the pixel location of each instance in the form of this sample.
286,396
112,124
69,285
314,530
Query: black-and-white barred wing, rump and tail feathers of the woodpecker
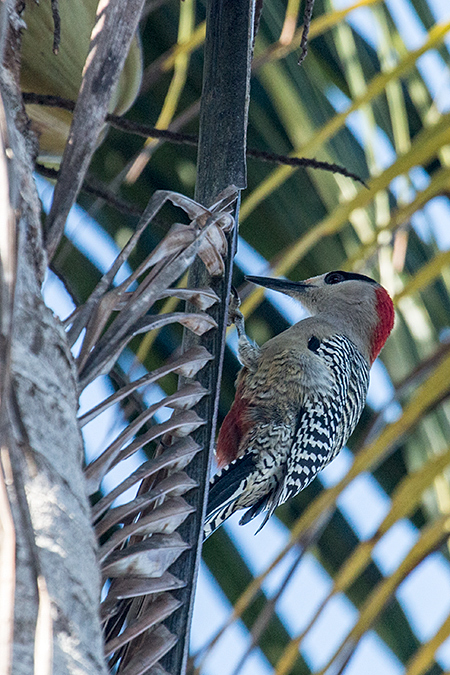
284,456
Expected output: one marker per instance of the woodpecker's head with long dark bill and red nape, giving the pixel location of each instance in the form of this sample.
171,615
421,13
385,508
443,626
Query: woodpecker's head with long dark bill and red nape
354,303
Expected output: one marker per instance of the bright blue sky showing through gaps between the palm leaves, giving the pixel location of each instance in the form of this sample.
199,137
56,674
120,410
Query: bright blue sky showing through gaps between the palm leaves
425,594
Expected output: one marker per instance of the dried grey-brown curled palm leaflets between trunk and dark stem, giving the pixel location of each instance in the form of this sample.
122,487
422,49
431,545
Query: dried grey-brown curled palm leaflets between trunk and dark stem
138,538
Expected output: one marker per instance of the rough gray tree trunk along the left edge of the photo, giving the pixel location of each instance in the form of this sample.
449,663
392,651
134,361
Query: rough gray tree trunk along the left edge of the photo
52,573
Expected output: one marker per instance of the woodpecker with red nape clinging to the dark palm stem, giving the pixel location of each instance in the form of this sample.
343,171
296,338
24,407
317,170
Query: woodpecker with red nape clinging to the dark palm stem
299,396
